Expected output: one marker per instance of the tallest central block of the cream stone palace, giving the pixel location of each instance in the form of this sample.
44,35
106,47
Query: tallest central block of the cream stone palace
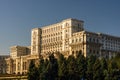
55,37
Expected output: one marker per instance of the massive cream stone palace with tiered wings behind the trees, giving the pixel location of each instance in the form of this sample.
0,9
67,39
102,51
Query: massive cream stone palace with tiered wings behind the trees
67,37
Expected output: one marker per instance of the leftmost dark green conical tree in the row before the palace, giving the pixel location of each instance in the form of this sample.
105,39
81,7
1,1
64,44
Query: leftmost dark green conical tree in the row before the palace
33,71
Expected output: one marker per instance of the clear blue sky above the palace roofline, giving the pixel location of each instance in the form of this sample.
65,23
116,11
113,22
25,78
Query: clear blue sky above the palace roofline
18,17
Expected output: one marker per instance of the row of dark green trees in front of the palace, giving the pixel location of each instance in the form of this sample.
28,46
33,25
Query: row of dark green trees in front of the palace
75,68
